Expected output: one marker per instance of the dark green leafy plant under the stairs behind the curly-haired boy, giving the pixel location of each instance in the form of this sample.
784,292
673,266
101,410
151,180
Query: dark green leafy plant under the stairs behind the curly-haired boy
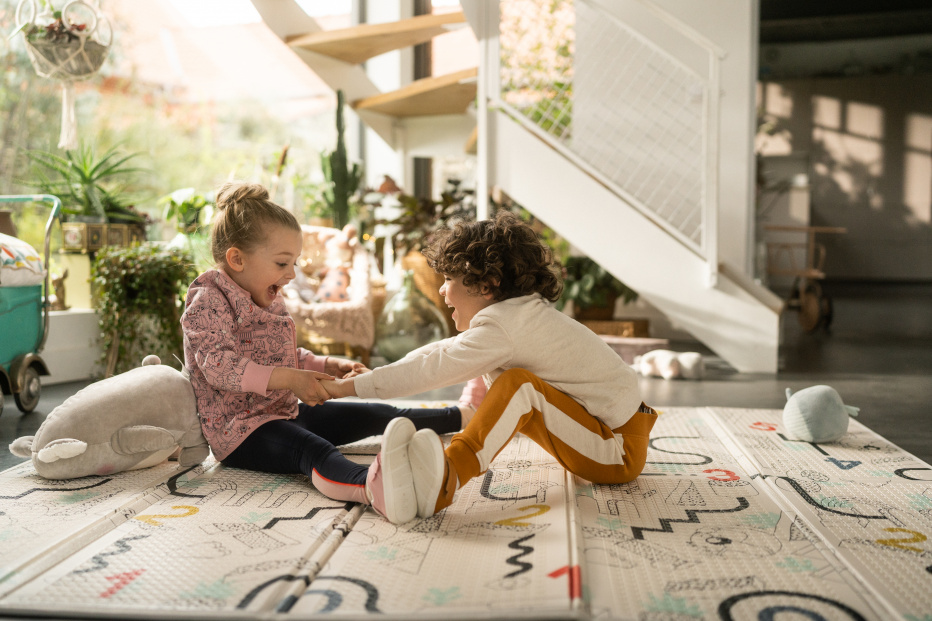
592,289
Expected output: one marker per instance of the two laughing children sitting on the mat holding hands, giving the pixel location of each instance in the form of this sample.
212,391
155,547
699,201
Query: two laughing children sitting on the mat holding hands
264,403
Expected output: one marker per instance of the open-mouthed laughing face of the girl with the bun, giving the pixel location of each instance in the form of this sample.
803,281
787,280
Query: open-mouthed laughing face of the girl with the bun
268,267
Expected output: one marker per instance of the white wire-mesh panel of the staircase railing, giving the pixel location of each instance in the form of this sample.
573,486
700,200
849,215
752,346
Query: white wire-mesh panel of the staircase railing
640,118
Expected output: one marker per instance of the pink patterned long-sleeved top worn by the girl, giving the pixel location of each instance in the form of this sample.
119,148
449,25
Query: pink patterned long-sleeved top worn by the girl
231,346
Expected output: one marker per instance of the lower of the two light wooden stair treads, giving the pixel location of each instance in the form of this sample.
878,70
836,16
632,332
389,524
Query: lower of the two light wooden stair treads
446,94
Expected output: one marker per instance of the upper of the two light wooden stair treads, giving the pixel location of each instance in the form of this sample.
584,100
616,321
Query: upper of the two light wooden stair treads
360,43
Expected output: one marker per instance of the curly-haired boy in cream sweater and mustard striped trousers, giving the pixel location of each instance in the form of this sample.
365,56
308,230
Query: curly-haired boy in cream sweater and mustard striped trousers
548,376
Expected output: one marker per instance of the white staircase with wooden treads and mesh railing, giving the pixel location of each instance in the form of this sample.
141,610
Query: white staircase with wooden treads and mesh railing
631,143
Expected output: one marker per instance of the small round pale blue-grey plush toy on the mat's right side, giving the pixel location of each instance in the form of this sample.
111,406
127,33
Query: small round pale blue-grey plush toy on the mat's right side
816,414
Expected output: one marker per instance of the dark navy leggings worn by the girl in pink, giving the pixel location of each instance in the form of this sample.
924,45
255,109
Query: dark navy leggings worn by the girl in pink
306,443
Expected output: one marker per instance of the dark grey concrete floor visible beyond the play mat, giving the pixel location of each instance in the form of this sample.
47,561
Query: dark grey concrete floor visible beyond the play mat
878,356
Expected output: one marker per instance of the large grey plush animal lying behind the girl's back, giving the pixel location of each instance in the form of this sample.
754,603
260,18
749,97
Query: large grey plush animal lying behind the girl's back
133,420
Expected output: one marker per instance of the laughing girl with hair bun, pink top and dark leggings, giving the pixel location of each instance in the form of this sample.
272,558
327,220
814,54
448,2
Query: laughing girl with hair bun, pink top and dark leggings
248,375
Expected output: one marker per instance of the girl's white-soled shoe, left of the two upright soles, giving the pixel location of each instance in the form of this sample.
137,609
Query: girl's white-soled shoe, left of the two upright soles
391,485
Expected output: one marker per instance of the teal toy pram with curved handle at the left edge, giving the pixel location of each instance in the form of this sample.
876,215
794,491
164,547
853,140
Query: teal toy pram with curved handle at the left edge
24,324
